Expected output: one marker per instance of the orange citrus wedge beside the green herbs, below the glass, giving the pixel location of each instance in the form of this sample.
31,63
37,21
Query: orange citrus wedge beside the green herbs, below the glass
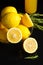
26,20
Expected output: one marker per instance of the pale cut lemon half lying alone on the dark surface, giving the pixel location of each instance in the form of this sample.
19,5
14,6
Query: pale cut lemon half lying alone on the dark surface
30,45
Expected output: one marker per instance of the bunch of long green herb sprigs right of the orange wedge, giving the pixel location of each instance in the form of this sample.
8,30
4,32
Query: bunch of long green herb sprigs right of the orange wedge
37,19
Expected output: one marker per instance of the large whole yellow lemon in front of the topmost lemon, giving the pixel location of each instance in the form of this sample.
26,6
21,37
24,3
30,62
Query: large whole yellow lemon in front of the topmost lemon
11,20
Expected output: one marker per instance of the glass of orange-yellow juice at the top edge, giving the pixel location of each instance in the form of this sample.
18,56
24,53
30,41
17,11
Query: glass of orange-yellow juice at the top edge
30,6
